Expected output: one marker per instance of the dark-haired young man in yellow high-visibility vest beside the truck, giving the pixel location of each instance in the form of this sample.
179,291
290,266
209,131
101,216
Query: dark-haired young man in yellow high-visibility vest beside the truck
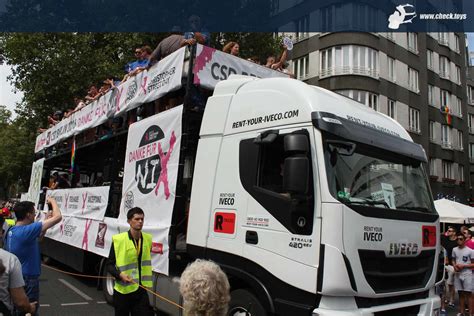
130,264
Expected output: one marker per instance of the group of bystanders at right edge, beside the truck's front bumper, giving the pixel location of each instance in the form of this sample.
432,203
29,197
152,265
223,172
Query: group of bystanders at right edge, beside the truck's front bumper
458,249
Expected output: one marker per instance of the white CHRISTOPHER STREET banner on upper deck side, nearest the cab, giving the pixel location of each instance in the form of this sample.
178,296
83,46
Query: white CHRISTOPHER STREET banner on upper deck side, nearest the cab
150,85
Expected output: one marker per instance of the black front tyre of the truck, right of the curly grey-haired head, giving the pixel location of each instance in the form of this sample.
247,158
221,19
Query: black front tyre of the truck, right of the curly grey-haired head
243,302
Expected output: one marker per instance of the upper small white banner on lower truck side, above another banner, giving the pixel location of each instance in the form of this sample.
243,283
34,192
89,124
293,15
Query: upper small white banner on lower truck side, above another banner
89,203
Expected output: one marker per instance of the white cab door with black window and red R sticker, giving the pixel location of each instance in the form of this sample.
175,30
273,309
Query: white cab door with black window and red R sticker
264,203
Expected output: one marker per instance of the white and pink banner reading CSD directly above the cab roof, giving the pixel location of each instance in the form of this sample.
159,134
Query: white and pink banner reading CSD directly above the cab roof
212,66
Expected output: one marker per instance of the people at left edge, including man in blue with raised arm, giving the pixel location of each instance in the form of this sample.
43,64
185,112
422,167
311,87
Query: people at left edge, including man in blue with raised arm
20,258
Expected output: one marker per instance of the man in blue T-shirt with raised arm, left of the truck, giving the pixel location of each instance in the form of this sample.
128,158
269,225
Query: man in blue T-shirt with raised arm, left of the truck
22,241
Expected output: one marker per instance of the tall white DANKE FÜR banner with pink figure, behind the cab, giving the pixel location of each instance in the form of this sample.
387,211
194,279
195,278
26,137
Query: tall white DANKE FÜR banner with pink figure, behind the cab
150,176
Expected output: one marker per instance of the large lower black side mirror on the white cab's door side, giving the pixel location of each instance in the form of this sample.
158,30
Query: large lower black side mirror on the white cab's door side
296,174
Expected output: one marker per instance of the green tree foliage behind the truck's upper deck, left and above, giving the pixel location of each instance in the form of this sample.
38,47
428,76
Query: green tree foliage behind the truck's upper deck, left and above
53,68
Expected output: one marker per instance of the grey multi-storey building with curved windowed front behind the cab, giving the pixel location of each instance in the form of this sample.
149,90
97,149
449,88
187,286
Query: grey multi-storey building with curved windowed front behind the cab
418,79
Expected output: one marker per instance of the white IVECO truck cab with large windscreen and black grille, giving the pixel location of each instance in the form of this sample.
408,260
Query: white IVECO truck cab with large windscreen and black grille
312,203
